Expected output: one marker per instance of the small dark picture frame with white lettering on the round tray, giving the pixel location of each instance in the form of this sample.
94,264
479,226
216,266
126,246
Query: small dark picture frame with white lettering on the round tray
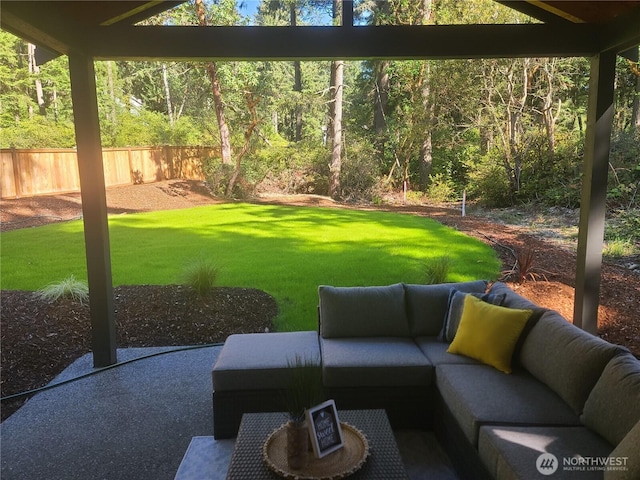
324,428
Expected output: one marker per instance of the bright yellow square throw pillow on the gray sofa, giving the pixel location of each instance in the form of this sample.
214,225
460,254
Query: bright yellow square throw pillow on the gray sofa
489,333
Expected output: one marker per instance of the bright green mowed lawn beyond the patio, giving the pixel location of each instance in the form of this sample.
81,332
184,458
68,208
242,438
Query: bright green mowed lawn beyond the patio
285,251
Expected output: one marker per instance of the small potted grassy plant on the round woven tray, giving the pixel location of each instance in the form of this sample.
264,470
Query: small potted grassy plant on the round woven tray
304,391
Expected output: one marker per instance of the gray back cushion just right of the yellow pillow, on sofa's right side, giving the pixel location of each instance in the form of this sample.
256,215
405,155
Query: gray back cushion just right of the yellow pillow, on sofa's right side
566,358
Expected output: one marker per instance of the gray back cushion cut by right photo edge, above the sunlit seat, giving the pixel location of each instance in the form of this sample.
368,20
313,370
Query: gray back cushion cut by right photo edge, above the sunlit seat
613,406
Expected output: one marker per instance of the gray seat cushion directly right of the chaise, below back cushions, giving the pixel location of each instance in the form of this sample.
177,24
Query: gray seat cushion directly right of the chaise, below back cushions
371,362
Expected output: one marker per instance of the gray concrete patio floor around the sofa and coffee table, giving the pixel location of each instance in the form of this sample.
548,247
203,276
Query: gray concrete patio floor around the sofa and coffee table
136,421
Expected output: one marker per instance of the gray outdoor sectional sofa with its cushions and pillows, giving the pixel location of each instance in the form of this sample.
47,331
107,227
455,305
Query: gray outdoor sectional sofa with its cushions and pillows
568,393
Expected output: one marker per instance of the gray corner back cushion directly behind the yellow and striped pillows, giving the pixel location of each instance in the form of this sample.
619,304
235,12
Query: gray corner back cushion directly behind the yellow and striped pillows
427,304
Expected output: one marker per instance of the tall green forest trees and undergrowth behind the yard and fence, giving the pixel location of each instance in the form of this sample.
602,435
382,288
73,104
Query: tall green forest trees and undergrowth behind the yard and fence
503,131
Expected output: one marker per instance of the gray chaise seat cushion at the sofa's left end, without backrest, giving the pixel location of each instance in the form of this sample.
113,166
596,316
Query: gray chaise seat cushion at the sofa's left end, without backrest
257,361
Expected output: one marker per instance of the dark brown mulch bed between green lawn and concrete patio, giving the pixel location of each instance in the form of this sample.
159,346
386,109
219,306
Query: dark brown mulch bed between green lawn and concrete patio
40,339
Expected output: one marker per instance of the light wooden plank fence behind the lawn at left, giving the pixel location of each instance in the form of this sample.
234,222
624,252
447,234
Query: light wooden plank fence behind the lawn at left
27,173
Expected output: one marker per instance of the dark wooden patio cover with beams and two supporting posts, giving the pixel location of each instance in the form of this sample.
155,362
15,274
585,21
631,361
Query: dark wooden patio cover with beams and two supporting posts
106,30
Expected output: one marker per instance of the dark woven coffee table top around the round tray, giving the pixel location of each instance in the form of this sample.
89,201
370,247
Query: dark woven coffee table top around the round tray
384,461
